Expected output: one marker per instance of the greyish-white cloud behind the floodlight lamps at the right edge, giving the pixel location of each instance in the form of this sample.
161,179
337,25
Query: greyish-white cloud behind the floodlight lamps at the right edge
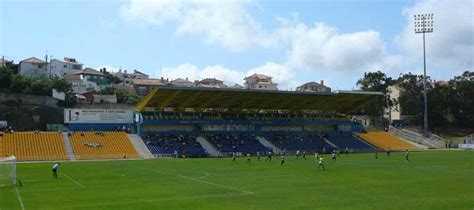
451,45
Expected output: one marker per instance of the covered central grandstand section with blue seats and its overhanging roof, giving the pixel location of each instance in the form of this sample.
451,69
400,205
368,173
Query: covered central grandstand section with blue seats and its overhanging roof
198,122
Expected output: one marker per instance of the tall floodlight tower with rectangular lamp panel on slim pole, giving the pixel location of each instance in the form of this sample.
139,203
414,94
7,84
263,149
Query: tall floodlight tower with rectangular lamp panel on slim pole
423,25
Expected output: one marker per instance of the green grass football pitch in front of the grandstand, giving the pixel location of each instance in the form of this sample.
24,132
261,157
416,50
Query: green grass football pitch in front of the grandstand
431,180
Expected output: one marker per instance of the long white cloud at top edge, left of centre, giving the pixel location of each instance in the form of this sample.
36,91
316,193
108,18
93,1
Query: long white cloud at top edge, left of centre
226,23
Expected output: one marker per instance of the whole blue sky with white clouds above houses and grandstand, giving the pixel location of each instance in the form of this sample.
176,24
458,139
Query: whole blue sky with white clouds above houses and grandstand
293,41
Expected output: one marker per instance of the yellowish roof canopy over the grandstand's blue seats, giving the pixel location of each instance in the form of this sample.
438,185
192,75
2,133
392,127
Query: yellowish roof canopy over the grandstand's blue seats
237,99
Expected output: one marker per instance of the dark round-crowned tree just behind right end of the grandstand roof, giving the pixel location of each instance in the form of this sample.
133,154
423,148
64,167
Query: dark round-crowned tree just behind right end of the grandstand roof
377,81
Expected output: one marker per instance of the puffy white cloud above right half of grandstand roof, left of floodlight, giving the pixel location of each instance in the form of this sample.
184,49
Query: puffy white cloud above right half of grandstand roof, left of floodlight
321,47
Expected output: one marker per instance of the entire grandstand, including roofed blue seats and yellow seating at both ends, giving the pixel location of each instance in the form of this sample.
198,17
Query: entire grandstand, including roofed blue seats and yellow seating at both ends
204,122
